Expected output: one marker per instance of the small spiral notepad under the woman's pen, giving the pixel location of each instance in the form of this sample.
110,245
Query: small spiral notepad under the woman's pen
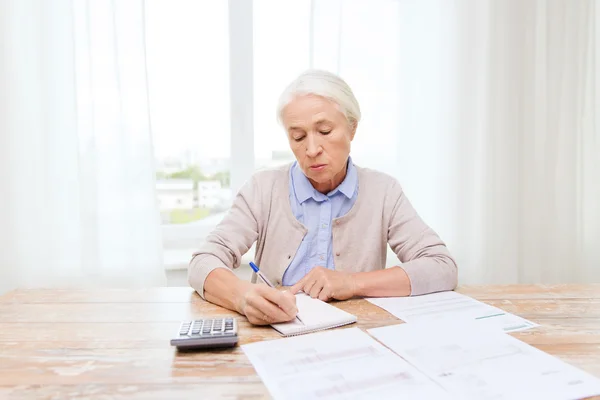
316,316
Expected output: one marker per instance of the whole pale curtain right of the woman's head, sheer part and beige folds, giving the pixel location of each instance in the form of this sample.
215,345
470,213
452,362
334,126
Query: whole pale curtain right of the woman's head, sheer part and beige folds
493,107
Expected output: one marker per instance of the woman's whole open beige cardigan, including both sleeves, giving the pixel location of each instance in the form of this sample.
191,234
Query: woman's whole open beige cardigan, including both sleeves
382,214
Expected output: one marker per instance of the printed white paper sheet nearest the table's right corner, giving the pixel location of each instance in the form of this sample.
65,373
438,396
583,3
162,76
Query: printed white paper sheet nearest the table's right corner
475,362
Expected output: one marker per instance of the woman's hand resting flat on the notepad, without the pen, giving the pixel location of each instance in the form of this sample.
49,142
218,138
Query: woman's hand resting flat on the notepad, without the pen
325,284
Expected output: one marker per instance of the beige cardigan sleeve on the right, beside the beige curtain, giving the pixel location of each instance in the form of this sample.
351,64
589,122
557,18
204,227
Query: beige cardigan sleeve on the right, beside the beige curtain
424,256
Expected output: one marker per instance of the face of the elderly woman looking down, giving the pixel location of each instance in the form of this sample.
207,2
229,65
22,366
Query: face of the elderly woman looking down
320,137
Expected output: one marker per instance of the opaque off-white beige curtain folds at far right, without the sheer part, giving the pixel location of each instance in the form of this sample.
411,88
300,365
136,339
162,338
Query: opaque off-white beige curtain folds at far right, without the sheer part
526,140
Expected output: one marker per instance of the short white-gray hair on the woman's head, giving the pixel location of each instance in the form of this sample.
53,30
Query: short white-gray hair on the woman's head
324,84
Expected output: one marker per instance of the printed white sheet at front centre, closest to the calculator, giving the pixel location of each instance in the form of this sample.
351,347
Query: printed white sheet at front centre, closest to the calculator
340,364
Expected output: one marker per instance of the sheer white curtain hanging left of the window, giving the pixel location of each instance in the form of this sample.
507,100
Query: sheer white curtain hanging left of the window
77,206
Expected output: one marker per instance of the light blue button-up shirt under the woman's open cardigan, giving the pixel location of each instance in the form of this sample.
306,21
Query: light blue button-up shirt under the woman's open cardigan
316,210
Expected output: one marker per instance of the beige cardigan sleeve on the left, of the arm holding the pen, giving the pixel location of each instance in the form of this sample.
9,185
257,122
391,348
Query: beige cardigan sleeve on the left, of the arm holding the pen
230,240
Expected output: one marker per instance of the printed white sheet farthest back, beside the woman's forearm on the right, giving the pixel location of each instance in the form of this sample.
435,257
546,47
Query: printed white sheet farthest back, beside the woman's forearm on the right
450,307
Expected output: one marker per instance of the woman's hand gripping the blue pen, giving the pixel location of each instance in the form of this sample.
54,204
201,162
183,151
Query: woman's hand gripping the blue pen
264,305
